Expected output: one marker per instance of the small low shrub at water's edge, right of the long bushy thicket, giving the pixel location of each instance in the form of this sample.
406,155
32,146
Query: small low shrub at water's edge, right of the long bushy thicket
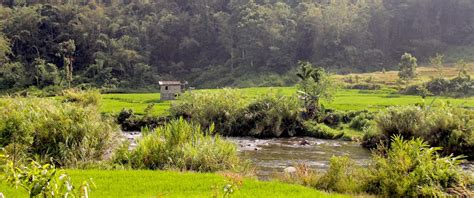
313,129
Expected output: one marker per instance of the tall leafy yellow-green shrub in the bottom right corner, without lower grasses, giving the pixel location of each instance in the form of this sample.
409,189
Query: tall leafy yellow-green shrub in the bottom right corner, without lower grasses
413,169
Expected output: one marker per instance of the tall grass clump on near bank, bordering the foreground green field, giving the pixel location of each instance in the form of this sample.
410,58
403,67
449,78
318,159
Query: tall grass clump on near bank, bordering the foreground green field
181,145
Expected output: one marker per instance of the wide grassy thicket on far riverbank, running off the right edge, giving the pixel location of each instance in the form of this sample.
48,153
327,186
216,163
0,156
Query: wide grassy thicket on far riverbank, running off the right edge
447,127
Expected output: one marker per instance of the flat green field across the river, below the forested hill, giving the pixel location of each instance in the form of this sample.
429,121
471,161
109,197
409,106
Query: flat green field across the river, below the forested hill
345,100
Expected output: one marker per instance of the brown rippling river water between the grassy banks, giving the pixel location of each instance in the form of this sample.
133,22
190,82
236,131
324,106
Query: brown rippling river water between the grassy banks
271,156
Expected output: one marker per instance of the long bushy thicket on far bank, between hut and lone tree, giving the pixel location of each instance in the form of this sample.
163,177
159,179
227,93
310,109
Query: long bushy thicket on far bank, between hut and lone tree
271,115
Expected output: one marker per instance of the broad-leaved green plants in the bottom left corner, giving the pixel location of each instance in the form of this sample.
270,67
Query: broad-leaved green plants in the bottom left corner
44,181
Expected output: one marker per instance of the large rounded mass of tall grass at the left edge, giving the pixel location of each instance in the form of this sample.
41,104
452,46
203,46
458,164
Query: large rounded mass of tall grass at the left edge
67,133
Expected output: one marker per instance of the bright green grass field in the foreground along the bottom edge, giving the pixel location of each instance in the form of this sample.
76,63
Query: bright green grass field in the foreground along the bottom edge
135,183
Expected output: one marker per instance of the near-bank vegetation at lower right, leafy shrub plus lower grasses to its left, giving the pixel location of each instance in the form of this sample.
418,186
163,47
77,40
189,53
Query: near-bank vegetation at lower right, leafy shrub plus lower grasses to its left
406,168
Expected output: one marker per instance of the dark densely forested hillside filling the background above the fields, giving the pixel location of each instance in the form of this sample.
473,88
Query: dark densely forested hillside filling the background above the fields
134,43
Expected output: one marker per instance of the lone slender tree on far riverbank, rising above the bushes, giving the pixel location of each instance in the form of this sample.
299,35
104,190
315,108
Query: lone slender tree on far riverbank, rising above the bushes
315,84
